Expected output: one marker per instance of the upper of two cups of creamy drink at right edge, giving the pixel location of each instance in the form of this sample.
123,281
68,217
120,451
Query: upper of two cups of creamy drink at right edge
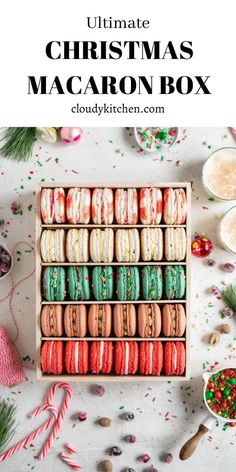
222,153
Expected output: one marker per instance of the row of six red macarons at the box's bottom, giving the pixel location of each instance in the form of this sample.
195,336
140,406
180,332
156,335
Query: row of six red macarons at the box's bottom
120,357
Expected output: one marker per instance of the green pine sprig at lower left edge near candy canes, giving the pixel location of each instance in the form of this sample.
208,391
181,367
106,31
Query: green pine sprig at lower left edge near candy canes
7,422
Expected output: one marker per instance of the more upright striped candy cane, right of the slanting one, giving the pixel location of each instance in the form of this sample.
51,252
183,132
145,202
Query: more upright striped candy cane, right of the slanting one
61,415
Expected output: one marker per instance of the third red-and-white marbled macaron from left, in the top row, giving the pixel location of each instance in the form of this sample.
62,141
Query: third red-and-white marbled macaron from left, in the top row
102,206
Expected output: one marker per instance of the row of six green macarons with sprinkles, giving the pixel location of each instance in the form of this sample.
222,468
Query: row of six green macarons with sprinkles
125,283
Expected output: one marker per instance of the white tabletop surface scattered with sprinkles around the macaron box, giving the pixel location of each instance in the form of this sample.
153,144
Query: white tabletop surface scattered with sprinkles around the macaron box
165,414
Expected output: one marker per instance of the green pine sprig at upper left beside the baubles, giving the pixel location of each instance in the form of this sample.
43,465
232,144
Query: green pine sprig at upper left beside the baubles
18,143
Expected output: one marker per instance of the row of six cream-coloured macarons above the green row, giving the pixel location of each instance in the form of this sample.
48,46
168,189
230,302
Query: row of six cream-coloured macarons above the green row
101,245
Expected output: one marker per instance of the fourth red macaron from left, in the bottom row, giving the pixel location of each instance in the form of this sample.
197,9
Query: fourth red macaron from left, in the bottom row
126,357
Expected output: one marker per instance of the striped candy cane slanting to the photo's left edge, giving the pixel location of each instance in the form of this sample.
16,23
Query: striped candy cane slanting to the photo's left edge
35,434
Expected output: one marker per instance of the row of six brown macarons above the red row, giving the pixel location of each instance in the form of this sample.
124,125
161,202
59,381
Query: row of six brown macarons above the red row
122,319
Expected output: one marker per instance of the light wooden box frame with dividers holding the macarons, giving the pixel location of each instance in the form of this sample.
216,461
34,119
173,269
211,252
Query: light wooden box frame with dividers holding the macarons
40,226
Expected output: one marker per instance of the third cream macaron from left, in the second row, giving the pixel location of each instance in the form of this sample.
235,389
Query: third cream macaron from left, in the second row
102,245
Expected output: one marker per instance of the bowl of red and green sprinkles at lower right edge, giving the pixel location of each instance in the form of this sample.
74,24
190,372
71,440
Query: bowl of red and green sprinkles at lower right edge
220,394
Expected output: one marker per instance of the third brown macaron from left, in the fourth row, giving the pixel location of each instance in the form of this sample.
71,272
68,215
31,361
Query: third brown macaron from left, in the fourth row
99,320
